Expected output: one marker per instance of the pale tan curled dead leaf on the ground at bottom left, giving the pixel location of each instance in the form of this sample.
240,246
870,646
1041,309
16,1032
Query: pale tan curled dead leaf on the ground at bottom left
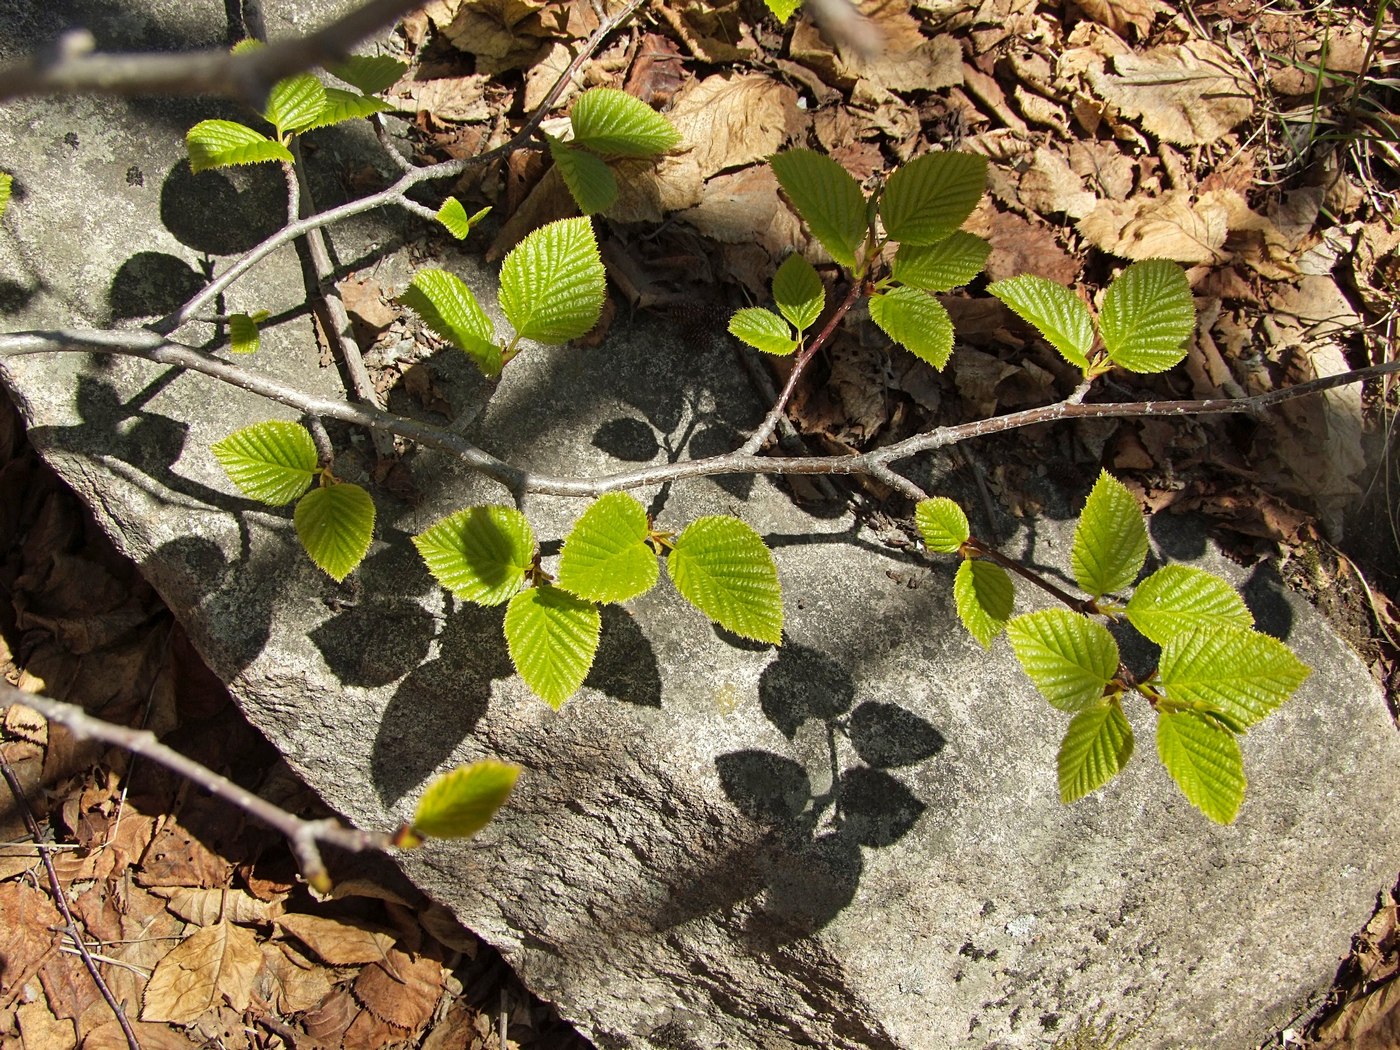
206,968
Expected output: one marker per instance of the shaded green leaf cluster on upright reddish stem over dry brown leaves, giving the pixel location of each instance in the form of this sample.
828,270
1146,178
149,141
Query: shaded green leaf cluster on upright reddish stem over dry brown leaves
920,209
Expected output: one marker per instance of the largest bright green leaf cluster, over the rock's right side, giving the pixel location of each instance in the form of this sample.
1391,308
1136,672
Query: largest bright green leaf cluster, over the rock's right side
1216,675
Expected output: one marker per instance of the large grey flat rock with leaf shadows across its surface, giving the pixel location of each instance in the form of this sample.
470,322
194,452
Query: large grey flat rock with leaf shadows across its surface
853,841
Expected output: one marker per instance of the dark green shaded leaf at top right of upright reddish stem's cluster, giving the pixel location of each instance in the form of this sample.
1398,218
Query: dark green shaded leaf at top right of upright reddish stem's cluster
932,197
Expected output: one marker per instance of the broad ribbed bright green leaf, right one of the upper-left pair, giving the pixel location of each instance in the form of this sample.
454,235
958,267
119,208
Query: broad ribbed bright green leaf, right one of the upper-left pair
552,282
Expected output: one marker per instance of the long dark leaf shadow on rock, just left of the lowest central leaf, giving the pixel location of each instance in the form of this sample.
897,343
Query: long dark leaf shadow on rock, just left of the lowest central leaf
440,703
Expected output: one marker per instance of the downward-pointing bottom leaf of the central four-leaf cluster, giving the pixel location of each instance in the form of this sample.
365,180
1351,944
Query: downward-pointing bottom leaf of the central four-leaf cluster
552,638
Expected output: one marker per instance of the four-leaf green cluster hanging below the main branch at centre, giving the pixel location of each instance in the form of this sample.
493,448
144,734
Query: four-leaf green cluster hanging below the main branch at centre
489,556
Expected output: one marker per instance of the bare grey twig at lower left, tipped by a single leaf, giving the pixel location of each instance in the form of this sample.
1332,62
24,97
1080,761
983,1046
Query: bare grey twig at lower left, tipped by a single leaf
304,836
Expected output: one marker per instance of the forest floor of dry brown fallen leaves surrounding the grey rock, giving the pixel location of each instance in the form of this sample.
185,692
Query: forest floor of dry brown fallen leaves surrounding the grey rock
1256,143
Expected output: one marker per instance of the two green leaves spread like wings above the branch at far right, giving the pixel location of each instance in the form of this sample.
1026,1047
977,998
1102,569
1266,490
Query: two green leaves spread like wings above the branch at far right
1147,317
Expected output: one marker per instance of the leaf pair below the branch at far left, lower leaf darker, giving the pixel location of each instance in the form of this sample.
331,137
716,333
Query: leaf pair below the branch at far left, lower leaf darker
276,463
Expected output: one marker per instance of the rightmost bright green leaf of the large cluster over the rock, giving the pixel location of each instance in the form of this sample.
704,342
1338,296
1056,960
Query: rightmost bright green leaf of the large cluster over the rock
1231,670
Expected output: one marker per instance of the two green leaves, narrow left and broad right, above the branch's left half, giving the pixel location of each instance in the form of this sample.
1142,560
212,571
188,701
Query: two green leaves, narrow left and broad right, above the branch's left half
552,290
